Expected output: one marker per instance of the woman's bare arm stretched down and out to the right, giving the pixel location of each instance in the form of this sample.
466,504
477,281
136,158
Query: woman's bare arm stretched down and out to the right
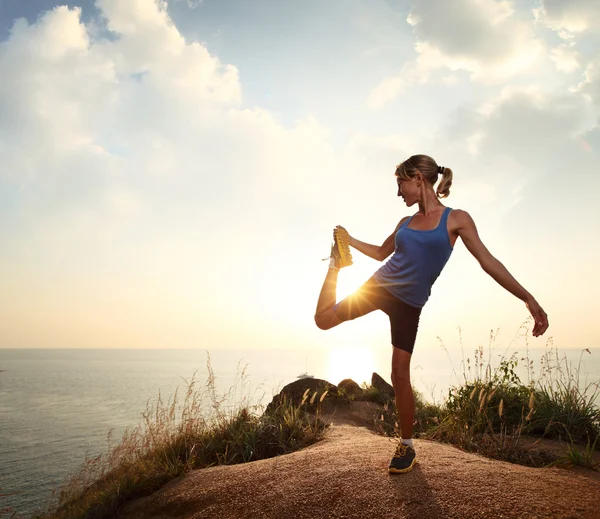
468,232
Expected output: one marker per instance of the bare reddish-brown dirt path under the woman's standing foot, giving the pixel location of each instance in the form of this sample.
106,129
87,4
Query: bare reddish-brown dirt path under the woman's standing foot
345,476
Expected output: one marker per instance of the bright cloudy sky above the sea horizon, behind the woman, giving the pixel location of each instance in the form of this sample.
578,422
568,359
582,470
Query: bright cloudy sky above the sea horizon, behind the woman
170,173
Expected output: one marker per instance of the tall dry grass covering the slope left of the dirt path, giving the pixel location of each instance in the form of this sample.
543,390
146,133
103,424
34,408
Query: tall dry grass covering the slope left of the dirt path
173,439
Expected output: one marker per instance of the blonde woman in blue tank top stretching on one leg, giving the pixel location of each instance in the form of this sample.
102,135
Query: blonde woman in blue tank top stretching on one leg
421,245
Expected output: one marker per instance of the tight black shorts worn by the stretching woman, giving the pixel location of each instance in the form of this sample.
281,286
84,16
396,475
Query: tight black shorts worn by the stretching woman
404,318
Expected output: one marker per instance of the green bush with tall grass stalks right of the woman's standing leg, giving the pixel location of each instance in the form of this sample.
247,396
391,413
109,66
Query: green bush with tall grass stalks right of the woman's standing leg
491,411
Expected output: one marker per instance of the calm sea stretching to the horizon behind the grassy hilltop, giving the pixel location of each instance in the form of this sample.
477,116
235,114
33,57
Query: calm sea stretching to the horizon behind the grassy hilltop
59,406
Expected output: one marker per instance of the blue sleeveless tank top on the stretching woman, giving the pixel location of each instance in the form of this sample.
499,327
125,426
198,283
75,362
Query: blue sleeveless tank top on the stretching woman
418,259
